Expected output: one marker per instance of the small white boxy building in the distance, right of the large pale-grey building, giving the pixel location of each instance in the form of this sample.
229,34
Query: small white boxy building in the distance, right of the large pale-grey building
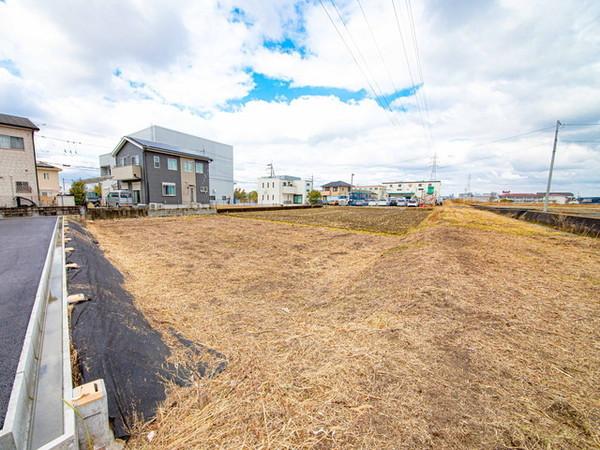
283,190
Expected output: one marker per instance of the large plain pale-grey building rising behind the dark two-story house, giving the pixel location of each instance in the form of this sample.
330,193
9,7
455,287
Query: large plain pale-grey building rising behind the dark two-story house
221,166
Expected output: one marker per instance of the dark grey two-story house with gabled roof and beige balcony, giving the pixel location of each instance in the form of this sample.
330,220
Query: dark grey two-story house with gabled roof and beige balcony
159,173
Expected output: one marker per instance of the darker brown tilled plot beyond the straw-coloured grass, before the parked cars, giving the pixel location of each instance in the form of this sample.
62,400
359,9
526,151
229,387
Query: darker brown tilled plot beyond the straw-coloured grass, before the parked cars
384,220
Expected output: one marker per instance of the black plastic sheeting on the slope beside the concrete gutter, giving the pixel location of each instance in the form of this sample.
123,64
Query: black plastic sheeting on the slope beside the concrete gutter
115,342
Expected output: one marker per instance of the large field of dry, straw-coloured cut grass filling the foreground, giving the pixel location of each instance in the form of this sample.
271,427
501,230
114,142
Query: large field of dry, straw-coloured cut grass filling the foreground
471,331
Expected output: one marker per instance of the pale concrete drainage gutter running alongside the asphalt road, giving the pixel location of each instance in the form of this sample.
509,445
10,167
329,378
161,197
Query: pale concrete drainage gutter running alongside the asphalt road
39,414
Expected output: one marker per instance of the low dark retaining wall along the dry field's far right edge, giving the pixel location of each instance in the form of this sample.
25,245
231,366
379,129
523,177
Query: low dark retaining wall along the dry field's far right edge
588,226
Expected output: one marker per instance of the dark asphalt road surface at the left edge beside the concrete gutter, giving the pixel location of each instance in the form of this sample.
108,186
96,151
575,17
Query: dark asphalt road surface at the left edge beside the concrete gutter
24,244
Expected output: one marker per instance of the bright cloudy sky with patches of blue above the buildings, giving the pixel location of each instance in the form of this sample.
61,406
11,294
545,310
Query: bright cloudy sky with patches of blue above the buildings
373,88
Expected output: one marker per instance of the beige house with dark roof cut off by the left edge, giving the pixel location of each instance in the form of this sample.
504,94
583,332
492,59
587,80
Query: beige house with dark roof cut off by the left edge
18,175
